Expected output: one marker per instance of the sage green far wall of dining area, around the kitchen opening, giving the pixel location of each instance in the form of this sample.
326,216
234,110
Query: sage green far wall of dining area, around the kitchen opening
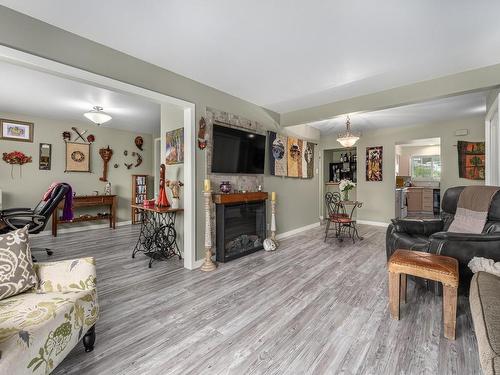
378,197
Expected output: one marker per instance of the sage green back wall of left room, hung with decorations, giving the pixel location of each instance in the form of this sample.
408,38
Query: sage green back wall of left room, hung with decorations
27,190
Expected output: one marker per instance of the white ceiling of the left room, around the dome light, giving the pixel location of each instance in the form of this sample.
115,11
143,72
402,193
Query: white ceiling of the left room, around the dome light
30,92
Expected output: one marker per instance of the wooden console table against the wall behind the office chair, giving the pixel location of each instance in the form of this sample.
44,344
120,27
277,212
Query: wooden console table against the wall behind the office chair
87,201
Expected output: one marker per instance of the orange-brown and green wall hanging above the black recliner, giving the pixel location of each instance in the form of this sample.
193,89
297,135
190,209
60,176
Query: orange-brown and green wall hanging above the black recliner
471,160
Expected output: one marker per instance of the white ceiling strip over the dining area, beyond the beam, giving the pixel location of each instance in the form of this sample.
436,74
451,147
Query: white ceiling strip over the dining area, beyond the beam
446,109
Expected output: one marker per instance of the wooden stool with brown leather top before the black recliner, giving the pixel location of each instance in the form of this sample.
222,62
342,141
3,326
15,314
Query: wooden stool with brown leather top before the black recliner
429,266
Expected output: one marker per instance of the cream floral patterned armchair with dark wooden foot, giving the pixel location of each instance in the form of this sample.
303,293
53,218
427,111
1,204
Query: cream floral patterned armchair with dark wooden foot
40,327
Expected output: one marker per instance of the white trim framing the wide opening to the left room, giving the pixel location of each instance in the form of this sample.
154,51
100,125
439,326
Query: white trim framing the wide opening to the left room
52,67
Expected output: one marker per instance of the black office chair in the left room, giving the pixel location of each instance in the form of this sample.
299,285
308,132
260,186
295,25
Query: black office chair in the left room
37,218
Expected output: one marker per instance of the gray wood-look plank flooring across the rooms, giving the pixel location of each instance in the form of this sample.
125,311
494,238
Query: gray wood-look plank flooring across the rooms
308,308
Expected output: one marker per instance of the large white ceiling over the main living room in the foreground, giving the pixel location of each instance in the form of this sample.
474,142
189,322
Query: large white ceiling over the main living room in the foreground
286,55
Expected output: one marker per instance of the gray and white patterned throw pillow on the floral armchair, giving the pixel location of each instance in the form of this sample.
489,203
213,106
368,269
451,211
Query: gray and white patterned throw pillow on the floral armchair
16,267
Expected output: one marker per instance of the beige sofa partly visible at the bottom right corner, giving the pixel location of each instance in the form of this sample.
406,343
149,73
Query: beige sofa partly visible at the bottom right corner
484,298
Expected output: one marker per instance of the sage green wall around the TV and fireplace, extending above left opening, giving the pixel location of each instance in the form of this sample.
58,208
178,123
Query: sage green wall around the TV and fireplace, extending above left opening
298,197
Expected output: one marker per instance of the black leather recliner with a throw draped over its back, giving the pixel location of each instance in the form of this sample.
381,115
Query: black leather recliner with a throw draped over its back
431,236
